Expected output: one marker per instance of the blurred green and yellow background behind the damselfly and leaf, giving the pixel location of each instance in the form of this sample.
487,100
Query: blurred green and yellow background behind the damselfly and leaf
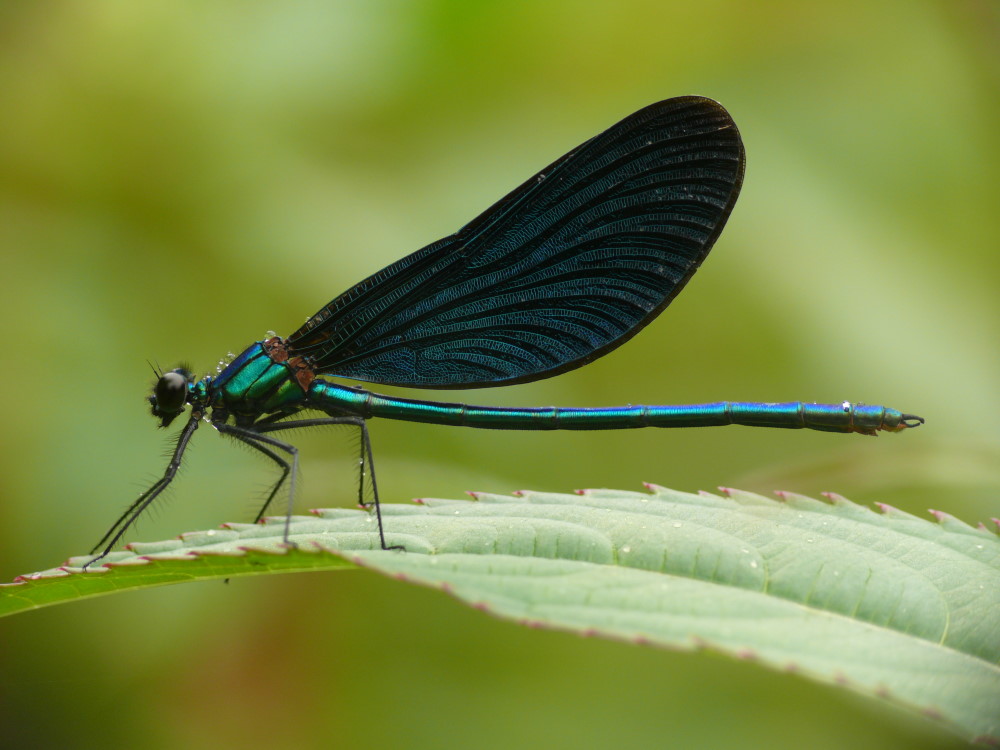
178,178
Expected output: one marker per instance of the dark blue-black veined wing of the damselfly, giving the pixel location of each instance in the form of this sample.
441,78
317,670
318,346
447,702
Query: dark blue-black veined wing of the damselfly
568,266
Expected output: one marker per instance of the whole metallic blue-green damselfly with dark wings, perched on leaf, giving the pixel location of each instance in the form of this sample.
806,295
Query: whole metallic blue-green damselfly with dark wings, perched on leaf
565,268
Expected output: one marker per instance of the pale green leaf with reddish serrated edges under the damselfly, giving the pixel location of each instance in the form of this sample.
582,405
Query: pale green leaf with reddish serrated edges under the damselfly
886,604
